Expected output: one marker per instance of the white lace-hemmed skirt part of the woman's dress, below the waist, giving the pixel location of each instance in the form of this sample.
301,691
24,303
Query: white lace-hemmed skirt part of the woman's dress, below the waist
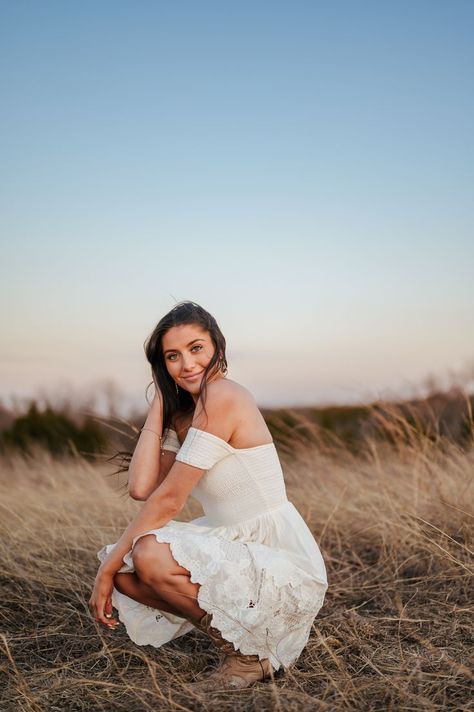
263,580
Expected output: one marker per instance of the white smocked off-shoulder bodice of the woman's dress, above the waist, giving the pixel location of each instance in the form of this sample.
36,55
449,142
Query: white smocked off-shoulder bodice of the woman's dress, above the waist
239,483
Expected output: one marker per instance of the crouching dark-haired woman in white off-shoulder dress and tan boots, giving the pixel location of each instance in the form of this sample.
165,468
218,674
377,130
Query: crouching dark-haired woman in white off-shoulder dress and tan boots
249,573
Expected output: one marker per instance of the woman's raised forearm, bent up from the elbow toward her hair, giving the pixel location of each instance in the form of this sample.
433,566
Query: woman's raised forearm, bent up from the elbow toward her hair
145,465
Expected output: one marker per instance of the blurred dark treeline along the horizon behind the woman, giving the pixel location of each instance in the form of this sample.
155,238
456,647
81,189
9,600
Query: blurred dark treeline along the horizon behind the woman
439,416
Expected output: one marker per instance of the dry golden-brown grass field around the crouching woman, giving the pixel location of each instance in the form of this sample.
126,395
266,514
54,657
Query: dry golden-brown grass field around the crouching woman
395,525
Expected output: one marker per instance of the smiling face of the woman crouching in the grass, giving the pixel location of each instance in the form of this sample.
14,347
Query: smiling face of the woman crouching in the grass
187,350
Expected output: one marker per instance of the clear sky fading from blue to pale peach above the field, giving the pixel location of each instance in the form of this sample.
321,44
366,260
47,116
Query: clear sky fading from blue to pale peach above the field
303,170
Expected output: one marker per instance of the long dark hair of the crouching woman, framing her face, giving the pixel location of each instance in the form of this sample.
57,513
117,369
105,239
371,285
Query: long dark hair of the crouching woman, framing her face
177,401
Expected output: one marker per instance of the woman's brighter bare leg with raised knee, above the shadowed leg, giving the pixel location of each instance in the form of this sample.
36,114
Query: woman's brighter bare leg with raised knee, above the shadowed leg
156,567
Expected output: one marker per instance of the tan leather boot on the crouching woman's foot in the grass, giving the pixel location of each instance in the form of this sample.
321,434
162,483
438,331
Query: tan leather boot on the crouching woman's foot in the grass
235,670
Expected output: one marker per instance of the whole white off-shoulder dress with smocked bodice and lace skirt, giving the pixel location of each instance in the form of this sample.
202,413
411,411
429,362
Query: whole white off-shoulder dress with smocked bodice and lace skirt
260,570
